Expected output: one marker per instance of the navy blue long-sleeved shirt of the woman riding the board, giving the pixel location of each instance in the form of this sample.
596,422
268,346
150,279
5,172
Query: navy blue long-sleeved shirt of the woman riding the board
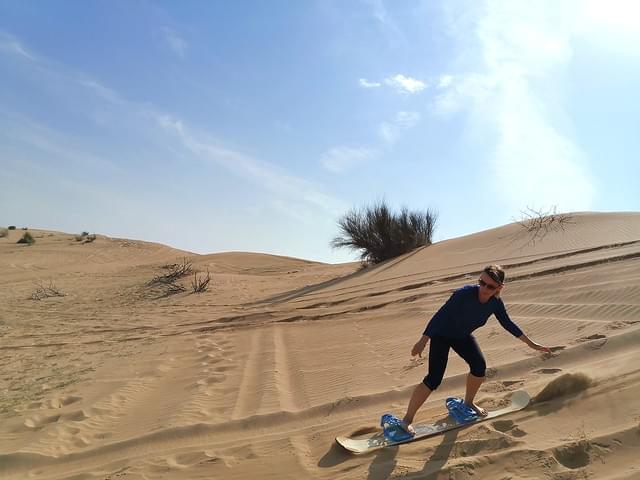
463,313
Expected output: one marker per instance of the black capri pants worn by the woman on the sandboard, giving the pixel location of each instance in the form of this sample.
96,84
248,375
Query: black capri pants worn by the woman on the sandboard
466,347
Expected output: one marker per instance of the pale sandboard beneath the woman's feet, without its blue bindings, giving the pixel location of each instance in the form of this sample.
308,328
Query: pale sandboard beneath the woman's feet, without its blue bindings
519,400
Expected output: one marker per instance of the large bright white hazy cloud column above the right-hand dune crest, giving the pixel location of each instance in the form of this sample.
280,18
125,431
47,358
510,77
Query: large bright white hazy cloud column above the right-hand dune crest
533,159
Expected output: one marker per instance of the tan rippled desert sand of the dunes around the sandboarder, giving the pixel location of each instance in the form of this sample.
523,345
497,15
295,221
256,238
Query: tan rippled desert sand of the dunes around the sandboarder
254,378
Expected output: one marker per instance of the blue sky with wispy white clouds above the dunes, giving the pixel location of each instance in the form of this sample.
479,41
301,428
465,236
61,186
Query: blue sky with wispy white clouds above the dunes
254,125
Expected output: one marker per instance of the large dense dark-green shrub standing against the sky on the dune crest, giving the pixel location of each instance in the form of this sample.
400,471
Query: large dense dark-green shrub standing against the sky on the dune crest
381,234
